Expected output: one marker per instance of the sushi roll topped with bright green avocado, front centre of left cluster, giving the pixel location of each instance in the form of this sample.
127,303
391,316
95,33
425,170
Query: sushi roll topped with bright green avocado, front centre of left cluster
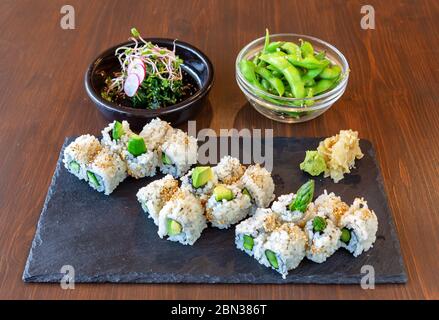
140,161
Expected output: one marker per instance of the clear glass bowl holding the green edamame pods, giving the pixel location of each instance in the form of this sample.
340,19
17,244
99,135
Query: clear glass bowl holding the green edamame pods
282,108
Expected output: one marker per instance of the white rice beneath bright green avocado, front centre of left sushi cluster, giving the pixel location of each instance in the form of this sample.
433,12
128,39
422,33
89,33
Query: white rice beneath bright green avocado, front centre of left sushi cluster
144,165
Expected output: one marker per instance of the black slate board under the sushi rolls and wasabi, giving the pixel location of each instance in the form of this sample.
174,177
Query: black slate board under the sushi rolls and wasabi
109,239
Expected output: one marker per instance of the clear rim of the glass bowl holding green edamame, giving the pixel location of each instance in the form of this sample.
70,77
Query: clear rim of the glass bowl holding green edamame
342,83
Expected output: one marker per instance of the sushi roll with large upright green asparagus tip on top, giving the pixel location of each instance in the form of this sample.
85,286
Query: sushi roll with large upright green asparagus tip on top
295,207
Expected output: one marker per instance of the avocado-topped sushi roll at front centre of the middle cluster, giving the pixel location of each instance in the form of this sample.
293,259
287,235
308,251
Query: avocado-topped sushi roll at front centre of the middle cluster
227,206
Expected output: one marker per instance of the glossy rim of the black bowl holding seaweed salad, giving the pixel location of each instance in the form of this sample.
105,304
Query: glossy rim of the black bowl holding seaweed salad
203,91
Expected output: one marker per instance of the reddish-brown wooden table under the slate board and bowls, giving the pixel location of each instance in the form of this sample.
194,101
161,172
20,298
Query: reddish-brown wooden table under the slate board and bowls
392,100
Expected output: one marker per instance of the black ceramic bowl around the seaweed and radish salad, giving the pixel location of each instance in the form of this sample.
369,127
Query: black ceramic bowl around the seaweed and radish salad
195,65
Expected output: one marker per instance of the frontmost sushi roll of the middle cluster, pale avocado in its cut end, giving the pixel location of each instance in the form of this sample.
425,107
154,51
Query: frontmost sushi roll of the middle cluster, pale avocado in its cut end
182,218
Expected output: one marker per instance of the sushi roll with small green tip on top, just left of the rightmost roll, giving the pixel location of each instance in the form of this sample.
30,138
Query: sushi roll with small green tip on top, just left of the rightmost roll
323,238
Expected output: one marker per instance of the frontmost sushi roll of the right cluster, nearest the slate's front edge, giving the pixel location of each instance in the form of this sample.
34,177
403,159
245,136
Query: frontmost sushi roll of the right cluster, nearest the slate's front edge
284,248
